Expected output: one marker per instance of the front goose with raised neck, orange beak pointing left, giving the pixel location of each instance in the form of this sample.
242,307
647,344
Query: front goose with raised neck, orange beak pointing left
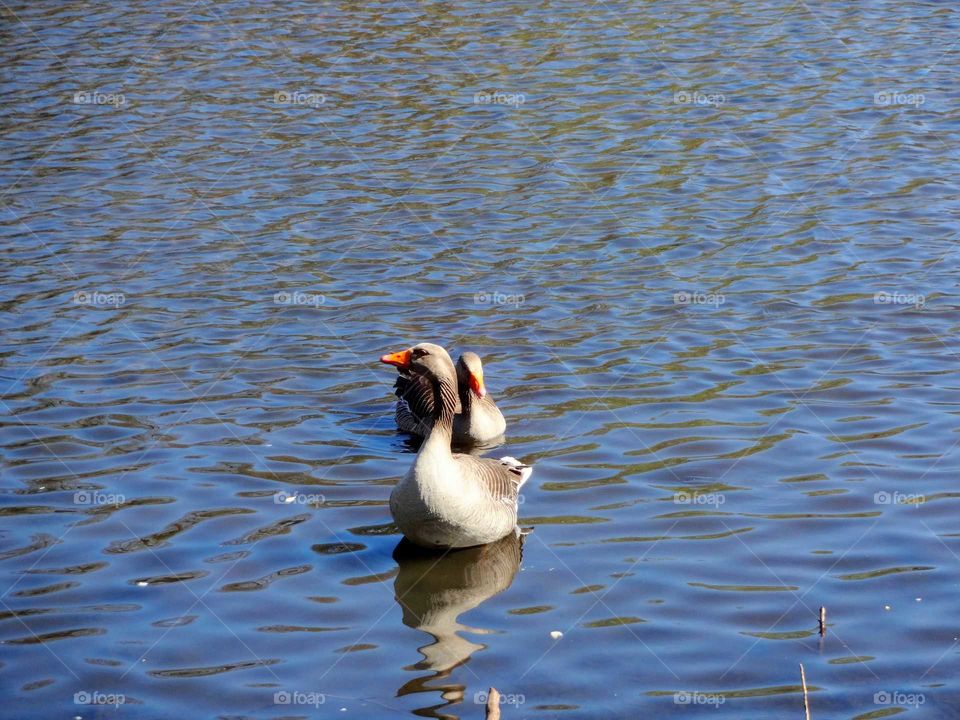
449,500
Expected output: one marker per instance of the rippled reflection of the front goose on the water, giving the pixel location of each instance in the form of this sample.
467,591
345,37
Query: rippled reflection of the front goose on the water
434,589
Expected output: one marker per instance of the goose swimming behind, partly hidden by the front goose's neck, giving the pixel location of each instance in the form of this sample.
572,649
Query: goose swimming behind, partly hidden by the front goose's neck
479,419
